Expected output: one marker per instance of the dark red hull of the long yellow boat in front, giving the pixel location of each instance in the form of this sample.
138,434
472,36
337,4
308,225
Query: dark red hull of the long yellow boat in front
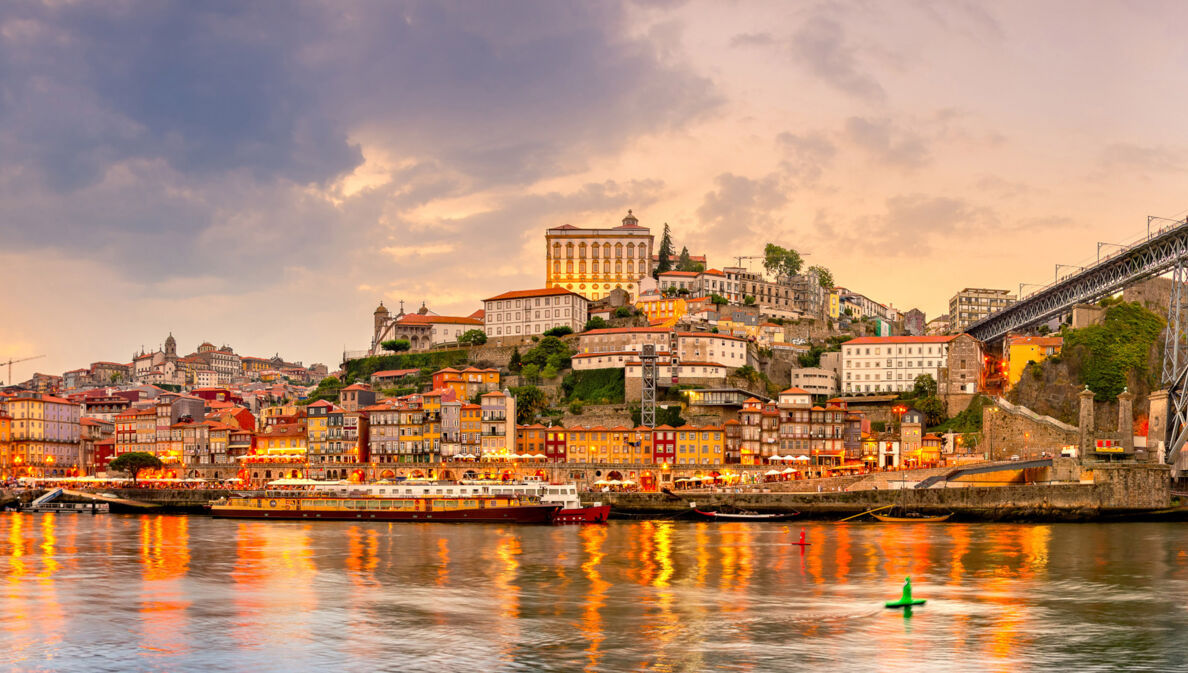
527,514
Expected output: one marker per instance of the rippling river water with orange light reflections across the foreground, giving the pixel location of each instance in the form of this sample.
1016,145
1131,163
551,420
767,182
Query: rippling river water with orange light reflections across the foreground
116,593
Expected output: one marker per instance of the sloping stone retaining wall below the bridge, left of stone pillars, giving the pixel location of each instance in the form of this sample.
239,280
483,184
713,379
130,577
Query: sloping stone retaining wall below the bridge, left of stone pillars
1009,430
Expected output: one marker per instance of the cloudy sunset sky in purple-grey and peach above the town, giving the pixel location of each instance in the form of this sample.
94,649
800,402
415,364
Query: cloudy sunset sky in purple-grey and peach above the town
263,174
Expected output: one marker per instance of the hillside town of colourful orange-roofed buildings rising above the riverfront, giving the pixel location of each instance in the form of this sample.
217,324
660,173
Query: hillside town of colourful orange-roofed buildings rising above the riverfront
768,366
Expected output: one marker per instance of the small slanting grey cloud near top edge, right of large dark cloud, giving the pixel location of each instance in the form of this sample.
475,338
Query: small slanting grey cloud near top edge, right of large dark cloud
822,47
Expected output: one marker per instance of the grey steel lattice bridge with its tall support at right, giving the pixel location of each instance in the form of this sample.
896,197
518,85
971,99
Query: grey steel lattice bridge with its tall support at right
1161,251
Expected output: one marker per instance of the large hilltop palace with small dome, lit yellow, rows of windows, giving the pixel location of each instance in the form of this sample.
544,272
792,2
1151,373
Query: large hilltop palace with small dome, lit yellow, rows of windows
592,262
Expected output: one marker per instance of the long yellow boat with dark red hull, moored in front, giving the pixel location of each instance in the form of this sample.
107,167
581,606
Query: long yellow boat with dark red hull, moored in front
313,507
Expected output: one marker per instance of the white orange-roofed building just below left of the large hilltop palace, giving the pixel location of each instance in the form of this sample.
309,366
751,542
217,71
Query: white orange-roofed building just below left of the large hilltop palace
527,313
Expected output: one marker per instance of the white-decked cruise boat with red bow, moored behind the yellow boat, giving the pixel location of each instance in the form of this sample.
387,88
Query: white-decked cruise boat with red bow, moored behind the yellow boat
564,495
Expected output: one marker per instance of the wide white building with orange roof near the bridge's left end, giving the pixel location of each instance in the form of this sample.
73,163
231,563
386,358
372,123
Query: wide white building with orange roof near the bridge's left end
892,364
